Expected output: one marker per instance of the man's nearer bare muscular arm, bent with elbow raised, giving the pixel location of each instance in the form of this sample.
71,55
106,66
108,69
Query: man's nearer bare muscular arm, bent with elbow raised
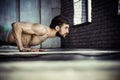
19,28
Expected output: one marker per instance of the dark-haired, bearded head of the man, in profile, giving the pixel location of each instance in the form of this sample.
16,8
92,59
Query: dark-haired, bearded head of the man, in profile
61,25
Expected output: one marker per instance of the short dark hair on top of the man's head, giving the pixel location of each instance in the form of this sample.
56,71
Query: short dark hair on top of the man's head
58,20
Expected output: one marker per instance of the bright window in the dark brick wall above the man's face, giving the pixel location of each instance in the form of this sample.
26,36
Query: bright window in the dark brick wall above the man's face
82,11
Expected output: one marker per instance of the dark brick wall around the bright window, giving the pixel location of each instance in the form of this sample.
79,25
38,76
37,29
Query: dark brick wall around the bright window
102,33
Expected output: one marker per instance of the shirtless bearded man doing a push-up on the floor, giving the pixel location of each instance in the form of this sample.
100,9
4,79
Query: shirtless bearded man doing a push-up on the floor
26,34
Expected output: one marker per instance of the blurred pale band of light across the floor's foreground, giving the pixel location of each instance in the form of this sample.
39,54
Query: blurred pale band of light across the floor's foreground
60,70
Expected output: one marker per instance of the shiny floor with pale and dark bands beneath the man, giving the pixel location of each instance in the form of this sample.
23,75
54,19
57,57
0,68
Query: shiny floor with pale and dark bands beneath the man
76,64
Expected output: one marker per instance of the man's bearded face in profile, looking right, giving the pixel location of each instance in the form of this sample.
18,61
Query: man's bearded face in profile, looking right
63,31
